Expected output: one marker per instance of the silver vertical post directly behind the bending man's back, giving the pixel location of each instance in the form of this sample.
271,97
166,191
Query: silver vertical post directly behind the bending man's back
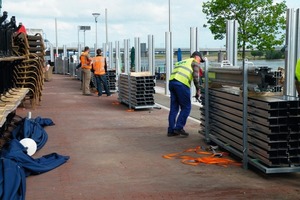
169,59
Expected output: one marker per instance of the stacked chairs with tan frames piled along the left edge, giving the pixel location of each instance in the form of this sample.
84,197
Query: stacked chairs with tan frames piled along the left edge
21,73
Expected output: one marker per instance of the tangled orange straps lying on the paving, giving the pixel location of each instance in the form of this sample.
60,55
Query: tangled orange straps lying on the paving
209,158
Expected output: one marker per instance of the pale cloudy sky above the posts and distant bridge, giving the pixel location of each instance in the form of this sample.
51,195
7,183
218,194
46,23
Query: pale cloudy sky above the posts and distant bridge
126,19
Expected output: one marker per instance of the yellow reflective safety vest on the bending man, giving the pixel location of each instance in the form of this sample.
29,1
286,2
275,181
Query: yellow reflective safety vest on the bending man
183,72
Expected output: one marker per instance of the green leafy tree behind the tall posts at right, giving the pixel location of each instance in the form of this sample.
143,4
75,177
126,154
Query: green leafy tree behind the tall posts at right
261,22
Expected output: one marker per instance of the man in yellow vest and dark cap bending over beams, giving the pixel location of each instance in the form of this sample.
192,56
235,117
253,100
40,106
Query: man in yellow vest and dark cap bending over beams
179,85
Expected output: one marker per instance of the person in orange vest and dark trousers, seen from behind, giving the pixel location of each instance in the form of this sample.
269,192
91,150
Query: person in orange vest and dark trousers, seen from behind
100,69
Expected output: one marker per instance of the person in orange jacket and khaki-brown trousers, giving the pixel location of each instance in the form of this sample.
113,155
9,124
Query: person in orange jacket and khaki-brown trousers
86,66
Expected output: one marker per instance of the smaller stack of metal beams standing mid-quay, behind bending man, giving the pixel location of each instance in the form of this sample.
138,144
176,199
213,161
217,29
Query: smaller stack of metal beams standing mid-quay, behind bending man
137,89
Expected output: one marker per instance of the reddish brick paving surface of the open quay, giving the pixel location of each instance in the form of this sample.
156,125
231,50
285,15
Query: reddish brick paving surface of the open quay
117,154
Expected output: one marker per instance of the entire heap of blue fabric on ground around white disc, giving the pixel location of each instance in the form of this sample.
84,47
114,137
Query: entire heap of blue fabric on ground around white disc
16,164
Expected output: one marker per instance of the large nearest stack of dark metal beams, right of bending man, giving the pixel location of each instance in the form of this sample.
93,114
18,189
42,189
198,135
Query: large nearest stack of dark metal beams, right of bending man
273,132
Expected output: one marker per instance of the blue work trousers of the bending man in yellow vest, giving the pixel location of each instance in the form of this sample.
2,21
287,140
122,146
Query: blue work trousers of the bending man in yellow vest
180,99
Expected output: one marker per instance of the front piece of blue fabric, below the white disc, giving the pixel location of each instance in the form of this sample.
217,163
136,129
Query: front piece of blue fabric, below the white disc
16,165
